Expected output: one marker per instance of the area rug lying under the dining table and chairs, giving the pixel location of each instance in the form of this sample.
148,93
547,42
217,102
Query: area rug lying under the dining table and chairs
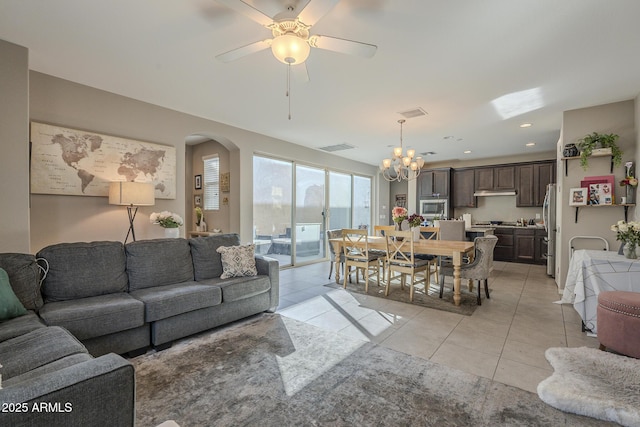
431,299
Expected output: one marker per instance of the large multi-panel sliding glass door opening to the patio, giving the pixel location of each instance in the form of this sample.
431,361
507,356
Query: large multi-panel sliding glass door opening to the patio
295,204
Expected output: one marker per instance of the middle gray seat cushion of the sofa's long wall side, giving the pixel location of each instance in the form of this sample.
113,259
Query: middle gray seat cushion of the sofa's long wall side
161,302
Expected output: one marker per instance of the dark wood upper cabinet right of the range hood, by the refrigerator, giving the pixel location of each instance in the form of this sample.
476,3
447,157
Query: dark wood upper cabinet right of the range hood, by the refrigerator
531,183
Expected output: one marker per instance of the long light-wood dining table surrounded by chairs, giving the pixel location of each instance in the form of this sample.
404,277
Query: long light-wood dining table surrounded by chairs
446,248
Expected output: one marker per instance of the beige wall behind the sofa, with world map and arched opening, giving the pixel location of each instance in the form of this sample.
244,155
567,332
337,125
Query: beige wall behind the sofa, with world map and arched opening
71,218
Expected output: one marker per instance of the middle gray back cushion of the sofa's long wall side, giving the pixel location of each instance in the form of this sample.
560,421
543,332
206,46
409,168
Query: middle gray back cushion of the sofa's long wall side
158,262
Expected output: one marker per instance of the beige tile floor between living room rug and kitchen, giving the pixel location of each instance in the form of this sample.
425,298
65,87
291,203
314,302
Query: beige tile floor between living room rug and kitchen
503,340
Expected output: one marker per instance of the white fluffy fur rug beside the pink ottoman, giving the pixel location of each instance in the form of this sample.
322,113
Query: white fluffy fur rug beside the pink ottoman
595,383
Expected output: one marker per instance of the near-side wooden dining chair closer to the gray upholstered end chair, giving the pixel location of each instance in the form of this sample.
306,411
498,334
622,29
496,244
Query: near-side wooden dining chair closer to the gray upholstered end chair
401,259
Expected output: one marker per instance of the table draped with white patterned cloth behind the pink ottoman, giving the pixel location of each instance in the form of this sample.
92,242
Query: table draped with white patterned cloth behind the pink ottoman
591,272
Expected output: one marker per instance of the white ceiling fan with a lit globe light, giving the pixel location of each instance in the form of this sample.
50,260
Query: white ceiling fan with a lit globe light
292,42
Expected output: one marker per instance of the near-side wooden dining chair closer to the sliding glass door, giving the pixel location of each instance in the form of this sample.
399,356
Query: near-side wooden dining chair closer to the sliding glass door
355,248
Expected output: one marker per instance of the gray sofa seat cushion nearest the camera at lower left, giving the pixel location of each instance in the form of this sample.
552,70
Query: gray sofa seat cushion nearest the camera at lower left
35,349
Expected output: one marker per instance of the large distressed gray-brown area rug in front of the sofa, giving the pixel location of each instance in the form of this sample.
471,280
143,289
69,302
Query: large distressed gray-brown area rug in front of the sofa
274,371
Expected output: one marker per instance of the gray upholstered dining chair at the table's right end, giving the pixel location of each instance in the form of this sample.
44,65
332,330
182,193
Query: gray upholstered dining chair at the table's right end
479,269
